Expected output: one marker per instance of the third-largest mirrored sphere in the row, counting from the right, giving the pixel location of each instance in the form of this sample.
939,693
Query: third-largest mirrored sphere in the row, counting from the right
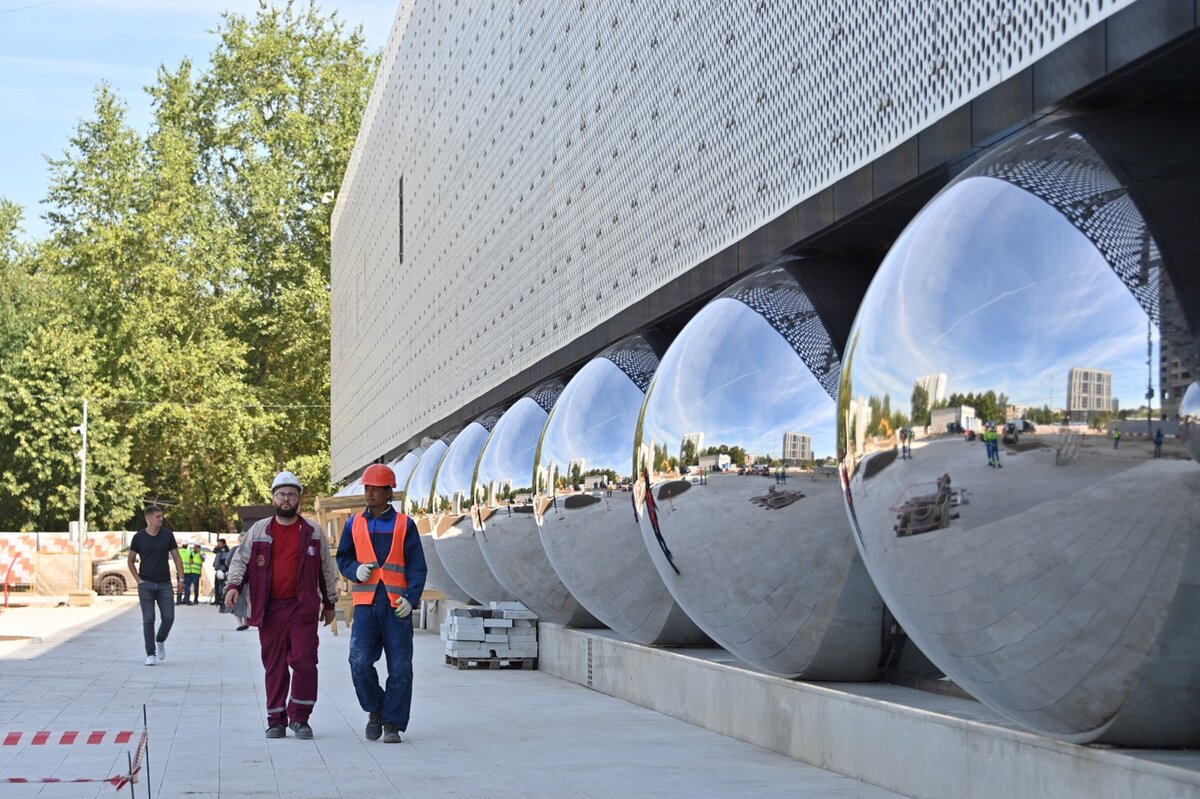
585,500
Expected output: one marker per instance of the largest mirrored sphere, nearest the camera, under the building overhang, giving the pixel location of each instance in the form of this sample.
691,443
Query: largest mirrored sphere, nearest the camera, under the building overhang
1040,543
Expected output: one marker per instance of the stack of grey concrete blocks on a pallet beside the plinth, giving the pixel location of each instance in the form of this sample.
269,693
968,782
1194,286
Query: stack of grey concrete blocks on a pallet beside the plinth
503,632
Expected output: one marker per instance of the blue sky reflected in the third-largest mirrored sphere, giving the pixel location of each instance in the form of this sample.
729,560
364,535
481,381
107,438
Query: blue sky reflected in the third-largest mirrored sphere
595,420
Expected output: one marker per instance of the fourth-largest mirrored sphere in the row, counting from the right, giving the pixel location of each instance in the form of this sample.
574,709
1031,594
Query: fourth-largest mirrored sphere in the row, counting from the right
508,536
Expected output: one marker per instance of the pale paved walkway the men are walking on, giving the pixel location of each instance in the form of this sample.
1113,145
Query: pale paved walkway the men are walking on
475,734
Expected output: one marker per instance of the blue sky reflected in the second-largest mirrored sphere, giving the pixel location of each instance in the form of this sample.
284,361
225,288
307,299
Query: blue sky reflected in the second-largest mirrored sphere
734,379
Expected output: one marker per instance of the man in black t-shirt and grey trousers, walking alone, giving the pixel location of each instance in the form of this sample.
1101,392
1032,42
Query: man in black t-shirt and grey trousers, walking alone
155,546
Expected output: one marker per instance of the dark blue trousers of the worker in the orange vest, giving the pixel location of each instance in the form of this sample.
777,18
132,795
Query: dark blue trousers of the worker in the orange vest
376,630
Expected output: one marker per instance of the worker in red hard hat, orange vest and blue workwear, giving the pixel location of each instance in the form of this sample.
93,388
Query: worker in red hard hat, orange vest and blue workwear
387,573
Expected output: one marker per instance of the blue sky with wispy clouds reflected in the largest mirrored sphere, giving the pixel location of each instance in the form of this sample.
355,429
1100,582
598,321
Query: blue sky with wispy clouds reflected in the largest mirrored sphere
999,291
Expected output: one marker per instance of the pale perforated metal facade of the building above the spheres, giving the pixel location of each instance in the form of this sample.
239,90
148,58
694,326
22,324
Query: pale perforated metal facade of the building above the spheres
556,163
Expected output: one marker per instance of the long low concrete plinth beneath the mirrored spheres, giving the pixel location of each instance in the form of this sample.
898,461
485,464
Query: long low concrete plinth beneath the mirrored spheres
923,746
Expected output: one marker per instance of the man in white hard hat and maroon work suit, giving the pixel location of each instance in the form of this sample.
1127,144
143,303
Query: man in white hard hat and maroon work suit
284,563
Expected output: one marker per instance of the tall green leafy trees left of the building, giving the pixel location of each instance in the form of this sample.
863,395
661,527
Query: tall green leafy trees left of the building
196,259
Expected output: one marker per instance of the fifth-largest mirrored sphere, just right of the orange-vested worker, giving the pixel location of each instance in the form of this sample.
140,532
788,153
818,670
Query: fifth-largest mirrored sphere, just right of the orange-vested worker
454,532
